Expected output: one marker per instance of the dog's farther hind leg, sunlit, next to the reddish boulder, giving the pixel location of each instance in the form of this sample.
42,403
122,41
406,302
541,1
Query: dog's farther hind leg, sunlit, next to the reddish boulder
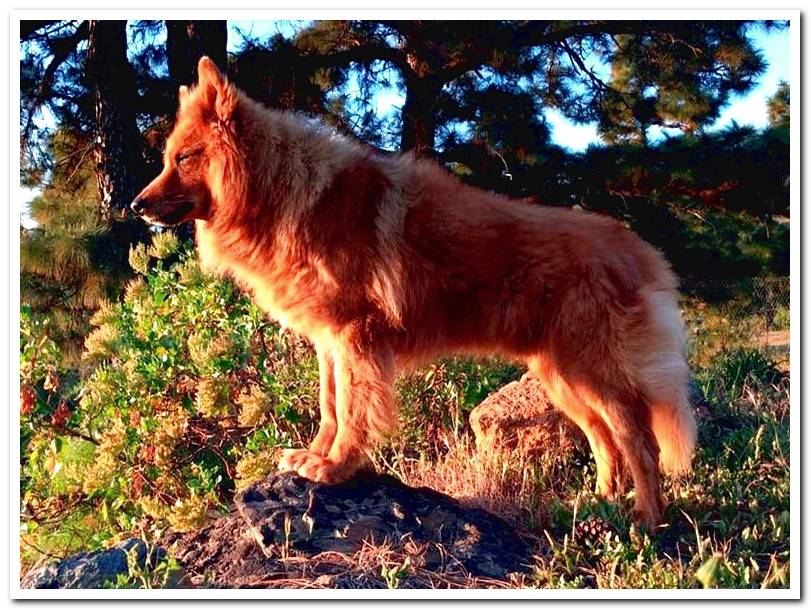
610,472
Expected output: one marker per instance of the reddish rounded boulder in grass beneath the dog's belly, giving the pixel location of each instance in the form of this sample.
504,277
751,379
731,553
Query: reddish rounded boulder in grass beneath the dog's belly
519,418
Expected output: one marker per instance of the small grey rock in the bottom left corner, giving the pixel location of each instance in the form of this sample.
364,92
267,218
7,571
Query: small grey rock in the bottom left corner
89,570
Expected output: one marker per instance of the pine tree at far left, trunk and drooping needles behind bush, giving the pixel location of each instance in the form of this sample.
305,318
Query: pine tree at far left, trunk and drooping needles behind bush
93,163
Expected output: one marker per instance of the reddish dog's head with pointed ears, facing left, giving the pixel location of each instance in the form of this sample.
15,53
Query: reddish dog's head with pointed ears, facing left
196,153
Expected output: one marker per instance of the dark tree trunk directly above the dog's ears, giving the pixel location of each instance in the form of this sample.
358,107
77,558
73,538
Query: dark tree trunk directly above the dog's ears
188,41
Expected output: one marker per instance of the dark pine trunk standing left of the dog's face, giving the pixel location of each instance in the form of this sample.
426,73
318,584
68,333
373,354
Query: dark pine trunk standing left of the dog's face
118,153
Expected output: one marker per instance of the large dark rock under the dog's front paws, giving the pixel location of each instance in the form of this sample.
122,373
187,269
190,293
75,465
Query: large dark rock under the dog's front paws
287,515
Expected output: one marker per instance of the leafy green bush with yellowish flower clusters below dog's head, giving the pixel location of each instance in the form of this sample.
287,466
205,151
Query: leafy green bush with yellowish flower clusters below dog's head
187,392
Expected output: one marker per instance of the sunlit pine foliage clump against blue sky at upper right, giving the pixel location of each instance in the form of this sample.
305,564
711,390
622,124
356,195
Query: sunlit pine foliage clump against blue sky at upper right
675,75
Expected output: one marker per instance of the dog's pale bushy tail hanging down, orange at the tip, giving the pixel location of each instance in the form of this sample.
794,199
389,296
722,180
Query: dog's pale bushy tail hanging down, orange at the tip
665,378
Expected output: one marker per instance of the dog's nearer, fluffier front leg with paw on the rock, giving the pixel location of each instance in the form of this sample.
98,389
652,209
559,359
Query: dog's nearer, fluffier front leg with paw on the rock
364,409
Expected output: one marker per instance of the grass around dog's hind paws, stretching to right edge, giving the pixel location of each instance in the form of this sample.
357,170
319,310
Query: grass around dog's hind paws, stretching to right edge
728,521
